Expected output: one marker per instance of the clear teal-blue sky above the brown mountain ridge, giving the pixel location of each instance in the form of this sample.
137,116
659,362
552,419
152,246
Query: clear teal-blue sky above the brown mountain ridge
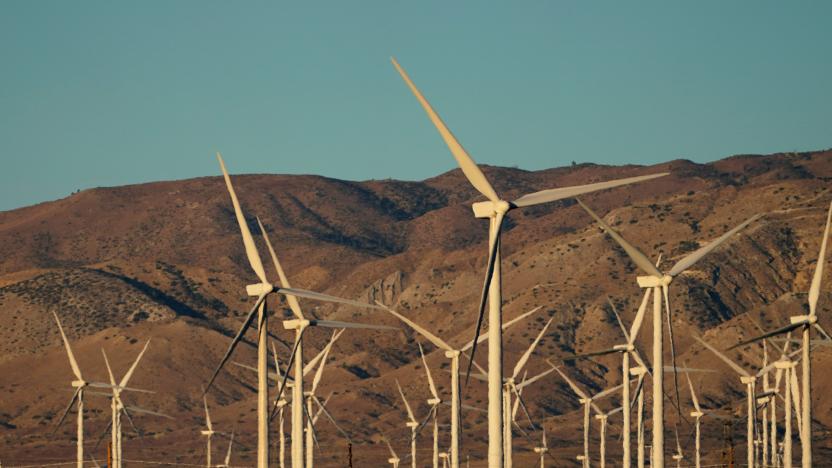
109,93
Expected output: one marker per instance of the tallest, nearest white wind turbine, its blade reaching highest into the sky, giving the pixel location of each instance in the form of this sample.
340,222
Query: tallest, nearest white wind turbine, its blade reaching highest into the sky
495,210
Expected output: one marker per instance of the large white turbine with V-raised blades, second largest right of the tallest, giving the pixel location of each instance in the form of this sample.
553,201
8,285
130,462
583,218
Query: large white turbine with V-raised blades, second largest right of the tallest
660,282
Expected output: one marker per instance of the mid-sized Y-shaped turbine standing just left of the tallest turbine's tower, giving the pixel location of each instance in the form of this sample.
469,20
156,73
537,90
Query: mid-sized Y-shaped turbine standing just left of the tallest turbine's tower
453,354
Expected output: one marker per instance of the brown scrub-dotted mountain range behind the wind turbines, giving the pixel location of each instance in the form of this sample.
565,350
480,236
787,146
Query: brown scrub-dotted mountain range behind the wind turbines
165,261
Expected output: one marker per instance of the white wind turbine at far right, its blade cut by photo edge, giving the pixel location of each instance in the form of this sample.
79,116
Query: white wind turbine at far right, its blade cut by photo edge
805,323
